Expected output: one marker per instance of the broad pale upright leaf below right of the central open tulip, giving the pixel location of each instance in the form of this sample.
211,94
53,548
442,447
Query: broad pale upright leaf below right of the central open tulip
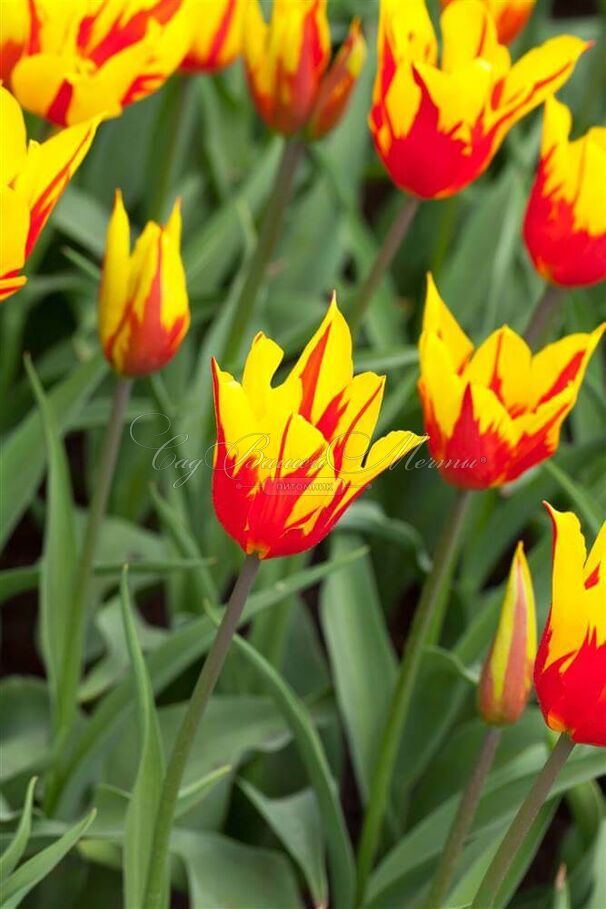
356,636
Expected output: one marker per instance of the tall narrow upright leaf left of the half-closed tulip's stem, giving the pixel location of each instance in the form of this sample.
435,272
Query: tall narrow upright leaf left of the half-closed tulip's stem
58,561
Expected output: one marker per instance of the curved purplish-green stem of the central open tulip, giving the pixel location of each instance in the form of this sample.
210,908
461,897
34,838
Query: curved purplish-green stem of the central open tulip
158,865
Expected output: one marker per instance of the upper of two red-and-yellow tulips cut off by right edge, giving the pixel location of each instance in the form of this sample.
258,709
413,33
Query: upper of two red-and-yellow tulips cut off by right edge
565,223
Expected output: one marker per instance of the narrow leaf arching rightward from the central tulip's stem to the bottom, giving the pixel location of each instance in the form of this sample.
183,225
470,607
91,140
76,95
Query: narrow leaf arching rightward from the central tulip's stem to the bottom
312,754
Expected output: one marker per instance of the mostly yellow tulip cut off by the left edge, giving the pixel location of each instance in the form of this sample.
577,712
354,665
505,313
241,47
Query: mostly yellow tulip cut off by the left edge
33,178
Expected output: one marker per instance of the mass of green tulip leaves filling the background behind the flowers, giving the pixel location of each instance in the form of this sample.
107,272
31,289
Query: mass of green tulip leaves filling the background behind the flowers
255,819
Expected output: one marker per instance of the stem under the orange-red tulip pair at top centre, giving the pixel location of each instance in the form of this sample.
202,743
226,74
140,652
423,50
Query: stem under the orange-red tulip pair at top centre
268,236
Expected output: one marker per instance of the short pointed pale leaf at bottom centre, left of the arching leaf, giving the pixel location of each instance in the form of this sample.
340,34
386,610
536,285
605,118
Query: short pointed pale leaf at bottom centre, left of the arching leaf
296,822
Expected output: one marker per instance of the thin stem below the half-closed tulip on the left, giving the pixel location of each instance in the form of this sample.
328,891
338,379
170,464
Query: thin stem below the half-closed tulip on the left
68,693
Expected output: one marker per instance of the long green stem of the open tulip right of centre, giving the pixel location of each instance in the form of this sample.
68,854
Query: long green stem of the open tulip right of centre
424,629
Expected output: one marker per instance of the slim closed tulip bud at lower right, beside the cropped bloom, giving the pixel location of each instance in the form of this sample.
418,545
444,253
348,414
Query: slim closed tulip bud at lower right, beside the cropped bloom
506,680
